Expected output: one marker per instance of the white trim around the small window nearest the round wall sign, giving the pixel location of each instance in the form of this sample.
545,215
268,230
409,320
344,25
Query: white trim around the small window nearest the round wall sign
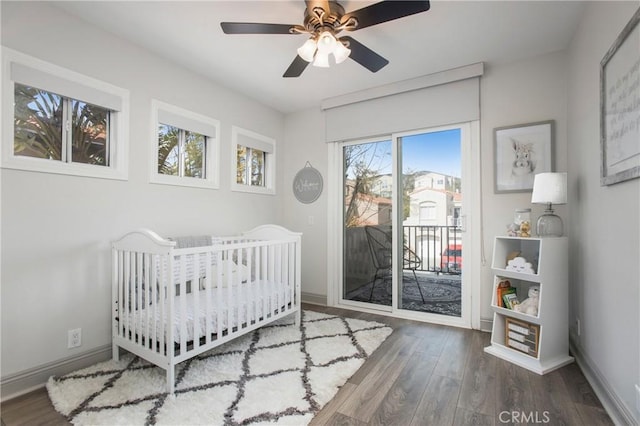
249,139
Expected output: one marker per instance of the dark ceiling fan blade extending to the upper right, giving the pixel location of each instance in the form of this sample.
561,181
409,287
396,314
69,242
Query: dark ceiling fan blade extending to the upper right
385,11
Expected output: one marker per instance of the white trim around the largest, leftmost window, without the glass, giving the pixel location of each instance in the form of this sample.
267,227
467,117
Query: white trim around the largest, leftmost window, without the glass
20,68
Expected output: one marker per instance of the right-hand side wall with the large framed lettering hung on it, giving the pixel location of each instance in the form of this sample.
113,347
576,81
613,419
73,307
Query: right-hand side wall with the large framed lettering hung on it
604,222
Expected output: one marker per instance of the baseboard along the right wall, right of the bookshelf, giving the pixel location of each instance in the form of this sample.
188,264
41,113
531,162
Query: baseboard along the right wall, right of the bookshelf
614,406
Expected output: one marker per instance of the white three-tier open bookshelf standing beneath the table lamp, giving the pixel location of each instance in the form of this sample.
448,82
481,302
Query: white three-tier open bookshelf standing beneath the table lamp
544,338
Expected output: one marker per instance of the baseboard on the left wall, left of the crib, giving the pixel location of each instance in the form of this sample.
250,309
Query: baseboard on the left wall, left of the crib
26,381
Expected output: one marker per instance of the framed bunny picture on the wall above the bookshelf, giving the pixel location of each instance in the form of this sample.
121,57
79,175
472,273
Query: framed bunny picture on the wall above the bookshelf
521,151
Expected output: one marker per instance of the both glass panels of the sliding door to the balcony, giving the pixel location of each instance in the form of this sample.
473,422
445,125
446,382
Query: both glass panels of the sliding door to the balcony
403,222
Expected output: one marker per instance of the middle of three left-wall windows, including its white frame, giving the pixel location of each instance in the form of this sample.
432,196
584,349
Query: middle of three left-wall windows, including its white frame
185,147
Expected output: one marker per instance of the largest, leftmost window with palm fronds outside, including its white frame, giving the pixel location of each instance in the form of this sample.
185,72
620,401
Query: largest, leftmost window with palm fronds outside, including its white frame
62,122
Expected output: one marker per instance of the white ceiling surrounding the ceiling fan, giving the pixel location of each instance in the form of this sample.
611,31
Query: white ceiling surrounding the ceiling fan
449,35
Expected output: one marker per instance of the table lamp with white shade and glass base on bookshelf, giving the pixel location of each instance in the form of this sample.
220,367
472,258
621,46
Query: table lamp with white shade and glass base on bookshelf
549,189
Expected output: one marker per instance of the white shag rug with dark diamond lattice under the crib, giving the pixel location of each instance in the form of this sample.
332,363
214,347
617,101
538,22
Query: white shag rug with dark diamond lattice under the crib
279,374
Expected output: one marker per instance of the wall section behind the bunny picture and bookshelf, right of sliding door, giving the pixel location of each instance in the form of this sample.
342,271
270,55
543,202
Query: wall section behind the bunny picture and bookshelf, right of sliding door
521,92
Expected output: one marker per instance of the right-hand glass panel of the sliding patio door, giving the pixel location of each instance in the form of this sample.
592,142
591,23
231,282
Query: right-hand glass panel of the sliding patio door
430,205
